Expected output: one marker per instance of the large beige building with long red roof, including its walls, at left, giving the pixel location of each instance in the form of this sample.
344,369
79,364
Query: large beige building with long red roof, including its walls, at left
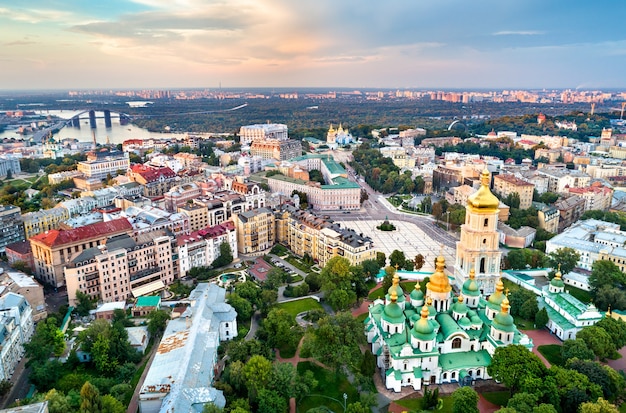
53,249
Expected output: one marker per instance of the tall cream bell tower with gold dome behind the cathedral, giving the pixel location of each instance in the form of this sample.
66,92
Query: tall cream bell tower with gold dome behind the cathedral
478,248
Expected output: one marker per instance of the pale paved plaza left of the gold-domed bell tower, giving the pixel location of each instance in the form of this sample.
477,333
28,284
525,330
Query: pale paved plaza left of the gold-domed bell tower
407,238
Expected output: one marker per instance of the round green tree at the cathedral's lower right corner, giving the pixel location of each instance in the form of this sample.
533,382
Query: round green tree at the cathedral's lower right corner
512,364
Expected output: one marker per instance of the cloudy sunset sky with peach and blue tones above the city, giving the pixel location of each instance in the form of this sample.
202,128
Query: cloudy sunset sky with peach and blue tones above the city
462,44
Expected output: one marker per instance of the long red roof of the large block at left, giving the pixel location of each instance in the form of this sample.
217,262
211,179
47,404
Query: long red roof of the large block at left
58,237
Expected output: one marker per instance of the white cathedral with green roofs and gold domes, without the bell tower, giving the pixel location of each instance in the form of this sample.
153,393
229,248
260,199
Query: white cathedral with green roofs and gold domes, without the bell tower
419,340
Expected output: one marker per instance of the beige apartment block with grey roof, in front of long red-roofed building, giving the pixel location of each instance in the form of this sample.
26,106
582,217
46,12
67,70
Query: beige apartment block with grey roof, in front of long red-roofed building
122,266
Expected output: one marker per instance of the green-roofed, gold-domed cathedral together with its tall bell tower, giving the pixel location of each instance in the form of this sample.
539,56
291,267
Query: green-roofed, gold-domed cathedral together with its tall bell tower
434,338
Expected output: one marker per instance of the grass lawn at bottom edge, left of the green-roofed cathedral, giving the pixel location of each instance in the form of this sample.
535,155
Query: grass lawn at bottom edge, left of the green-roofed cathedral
329,391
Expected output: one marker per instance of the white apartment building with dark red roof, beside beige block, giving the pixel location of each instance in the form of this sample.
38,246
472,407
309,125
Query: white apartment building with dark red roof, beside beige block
201,248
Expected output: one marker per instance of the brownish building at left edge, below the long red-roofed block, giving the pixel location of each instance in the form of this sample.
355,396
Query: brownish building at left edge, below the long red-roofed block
17,282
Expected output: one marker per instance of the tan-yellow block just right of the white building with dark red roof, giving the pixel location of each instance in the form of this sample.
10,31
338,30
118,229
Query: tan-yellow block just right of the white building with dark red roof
255,230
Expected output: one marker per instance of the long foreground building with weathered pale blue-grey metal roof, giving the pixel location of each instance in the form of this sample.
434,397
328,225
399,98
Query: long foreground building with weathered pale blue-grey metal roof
180,376
